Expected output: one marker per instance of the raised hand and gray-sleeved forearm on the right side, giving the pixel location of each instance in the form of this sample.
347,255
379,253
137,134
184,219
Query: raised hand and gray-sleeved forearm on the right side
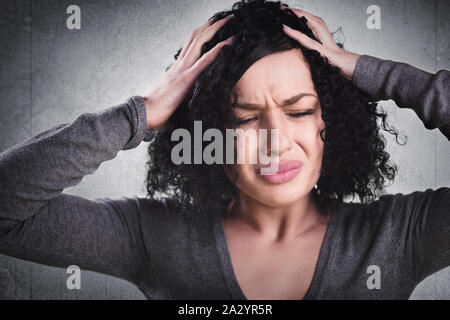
427,94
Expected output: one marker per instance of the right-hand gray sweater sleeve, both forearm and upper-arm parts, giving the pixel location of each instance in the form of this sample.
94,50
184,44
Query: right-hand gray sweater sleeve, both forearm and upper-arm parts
421,225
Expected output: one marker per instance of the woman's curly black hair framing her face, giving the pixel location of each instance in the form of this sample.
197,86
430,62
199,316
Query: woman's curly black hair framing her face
354,160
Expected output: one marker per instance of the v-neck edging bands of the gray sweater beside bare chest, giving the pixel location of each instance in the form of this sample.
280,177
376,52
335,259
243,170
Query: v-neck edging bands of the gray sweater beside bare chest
326,251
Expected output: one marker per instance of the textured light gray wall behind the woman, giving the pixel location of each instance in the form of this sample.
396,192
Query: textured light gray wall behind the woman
49,75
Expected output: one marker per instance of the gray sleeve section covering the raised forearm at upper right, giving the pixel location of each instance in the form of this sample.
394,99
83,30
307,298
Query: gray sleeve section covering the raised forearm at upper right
426,93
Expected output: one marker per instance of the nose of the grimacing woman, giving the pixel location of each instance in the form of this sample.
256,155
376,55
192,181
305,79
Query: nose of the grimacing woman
274,119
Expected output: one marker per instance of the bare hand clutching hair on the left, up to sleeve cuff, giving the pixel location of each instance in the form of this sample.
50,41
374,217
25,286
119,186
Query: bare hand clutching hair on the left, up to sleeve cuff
163,99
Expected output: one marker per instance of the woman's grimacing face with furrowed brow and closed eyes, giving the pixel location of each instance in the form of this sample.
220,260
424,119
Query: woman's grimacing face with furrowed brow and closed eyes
268,85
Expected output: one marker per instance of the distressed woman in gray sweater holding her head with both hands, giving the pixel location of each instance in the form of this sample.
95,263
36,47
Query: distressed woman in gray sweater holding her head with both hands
225,231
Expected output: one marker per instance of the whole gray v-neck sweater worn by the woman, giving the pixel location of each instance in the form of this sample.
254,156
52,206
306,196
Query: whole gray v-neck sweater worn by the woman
170,255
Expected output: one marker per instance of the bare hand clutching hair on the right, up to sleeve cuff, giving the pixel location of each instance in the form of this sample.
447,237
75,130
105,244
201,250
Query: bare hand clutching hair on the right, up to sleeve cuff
337,57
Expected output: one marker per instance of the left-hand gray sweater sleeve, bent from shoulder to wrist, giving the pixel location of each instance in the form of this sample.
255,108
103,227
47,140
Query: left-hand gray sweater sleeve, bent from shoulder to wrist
40,224
